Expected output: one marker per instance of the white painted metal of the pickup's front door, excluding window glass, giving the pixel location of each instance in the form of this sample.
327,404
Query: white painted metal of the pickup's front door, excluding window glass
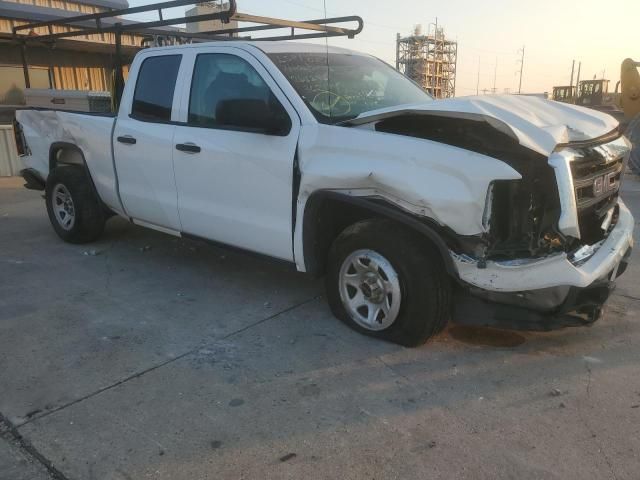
238,189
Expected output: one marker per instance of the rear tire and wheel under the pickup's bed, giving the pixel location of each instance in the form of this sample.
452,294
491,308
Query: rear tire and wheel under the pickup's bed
75,213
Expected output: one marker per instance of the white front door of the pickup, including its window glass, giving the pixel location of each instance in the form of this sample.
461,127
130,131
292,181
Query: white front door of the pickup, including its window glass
234,185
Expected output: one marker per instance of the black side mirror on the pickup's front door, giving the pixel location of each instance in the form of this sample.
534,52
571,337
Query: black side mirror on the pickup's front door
254,115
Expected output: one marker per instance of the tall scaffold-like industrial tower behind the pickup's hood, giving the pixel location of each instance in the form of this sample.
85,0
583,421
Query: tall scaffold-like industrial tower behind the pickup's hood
429,60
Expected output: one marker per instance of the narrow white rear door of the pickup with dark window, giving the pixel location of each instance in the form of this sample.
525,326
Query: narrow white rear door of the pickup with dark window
143,143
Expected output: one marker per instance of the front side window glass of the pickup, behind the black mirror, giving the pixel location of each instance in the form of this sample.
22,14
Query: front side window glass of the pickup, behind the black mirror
222,87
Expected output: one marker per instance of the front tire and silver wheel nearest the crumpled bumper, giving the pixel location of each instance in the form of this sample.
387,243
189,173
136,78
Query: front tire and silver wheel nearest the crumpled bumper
385,258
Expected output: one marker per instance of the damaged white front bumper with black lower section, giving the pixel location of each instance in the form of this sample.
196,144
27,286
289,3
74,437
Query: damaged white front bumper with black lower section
546,293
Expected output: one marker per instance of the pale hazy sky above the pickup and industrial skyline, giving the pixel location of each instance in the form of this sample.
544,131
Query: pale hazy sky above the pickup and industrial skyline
600,34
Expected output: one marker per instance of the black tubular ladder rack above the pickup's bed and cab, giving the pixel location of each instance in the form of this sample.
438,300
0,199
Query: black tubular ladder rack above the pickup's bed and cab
111,22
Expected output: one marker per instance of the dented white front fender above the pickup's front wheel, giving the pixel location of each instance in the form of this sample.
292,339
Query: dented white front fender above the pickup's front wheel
445,183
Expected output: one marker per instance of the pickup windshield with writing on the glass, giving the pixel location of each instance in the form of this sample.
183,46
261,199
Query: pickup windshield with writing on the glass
349,86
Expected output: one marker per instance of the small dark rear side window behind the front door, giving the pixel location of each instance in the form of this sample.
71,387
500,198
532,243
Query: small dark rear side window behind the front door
156,83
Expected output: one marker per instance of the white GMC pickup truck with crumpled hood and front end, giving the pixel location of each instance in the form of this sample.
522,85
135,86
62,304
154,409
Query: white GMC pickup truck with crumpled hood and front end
414,209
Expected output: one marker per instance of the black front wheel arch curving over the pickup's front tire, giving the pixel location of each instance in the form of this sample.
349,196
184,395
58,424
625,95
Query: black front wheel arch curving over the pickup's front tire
328,213
